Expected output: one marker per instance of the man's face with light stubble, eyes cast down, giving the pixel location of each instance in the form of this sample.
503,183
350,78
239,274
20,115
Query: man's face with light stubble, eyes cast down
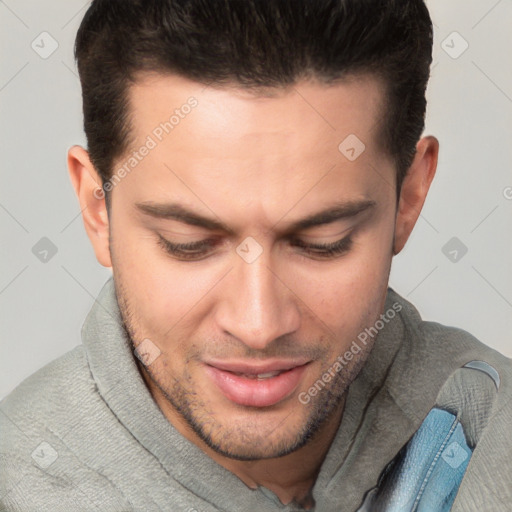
253,300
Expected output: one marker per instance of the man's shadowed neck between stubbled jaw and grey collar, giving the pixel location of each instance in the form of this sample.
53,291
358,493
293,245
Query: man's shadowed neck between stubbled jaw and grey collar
290,477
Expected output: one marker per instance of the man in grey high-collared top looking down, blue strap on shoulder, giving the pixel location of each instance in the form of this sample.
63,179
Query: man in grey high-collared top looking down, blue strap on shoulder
252,168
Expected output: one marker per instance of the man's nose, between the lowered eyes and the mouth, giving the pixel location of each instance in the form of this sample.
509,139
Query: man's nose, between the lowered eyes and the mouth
257,305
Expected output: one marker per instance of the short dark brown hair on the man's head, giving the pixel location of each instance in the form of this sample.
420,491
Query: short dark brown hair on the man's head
255,44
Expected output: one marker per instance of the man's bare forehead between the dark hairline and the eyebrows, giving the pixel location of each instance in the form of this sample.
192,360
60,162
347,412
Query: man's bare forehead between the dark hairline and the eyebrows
269,148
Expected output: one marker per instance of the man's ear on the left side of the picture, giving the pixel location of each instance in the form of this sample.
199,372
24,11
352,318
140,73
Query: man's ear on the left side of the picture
87,184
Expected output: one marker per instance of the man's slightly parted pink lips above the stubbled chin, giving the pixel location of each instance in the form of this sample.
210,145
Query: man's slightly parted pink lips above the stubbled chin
252,392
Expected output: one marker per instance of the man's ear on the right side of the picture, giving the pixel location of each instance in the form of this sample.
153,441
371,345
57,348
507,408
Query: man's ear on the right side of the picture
414,190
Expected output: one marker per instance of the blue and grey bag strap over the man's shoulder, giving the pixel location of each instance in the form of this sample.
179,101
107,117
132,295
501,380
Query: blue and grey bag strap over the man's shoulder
426,473
